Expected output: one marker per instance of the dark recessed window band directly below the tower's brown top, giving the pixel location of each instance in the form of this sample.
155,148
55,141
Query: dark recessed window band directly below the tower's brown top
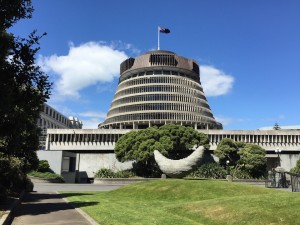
126,76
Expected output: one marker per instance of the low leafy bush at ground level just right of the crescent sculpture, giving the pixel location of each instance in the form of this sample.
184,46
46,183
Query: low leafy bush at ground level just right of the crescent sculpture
209,170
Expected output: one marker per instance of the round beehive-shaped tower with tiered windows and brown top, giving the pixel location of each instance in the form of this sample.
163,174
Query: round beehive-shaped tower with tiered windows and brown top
156,88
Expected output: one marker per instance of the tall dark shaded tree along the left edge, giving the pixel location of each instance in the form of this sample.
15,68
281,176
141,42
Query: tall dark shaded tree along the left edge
23,87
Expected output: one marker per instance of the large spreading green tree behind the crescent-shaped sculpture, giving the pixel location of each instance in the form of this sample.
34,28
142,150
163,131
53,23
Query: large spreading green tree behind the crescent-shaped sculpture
171,140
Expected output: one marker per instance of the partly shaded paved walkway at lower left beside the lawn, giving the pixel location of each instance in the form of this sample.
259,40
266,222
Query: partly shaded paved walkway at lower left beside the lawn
48,209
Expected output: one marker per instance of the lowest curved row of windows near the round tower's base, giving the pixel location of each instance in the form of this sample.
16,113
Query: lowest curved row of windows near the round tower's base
174,116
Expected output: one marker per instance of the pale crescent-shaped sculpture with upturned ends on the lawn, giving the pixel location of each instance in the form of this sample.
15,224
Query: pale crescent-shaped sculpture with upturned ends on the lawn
178,168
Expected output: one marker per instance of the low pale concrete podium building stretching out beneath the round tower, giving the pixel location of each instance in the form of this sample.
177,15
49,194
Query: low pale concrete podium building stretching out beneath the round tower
94,148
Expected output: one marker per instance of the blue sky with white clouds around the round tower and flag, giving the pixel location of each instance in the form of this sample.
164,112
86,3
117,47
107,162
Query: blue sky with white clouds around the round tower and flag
248,51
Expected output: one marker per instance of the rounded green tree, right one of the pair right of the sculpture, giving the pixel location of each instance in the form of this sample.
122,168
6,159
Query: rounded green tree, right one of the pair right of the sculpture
253,160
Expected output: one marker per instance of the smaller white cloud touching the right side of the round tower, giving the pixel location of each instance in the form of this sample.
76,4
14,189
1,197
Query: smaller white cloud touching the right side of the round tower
214,81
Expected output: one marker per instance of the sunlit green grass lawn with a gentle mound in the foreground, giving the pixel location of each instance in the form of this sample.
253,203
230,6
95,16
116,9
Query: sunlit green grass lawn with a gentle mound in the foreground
182,202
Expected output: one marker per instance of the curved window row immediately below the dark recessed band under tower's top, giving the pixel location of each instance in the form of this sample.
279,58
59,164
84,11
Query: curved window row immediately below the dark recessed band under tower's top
163,80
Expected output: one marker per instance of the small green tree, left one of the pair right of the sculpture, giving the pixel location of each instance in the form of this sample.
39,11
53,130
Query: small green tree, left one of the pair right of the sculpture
227,149
